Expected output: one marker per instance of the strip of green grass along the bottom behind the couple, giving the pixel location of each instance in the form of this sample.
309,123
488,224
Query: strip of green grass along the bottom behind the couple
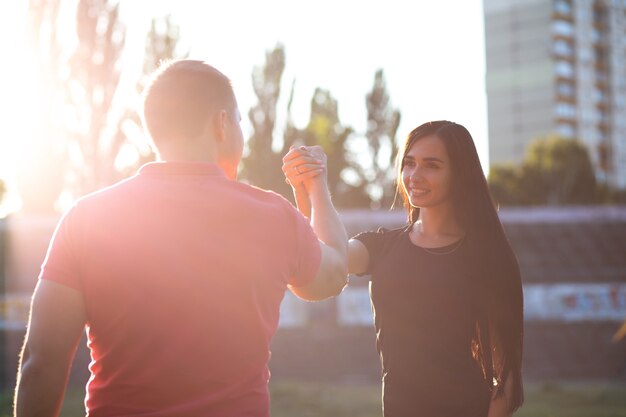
307,399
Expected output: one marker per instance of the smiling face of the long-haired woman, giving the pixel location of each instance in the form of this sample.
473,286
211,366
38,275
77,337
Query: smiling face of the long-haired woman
427,174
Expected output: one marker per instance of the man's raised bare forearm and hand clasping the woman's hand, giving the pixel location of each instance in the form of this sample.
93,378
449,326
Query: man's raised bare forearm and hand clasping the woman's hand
332,275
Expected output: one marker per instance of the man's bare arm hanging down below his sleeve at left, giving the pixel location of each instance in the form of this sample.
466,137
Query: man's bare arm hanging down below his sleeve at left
56,323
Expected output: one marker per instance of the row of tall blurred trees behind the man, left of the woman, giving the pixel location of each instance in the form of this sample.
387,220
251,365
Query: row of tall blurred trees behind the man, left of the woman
87,139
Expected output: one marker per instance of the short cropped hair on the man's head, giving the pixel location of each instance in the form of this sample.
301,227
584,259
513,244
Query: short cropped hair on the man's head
181,96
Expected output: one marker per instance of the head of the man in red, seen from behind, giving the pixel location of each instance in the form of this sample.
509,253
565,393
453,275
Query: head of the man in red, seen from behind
189,105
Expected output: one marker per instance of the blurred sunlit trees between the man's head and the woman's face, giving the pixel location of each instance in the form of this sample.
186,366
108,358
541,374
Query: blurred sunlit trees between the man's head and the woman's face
351,183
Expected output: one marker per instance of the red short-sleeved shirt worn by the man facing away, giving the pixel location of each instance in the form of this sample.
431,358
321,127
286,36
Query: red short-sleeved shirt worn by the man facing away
182,272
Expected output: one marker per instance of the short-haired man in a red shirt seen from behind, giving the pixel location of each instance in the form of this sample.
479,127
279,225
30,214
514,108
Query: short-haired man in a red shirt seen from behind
177,273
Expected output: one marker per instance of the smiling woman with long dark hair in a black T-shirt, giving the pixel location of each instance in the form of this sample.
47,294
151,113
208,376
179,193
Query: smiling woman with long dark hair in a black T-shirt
445,289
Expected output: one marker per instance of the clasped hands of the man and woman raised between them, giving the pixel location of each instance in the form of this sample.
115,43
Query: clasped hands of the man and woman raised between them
303,165
